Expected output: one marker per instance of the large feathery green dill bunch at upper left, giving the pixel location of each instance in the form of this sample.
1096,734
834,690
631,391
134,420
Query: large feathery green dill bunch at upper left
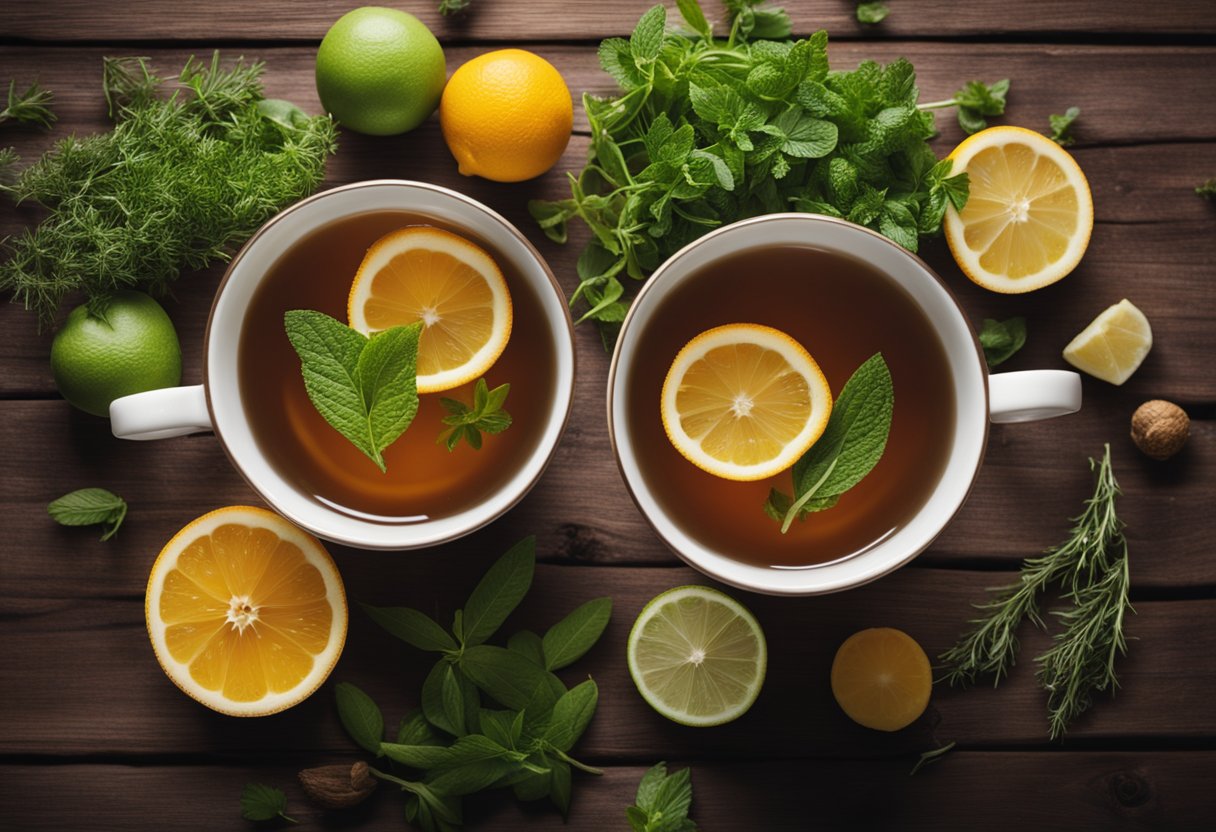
189,172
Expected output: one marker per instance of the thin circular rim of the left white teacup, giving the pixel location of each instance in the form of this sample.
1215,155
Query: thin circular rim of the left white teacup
561,409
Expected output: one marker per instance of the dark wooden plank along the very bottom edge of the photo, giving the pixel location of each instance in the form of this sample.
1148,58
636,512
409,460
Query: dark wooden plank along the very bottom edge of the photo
1093,790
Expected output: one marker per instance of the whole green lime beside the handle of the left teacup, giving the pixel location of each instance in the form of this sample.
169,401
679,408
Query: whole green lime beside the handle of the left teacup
131,350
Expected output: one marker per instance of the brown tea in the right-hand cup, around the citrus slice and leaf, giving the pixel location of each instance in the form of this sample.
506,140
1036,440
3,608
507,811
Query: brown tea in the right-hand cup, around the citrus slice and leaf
843,312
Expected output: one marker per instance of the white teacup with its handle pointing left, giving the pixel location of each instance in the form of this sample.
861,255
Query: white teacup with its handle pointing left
217,404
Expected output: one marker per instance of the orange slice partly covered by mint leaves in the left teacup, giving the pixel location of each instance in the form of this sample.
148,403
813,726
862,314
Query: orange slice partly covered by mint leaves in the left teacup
449,284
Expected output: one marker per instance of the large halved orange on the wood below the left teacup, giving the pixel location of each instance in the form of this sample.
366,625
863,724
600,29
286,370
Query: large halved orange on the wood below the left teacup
246,612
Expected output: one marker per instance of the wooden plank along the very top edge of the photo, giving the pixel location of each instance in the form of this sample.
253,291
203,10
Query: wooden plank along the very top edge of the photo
555,20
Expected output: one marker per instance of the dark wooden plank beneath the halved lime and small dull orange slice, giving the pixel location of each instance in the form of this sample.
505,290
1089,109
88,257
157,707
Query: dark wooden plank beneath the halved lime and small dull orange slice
80,677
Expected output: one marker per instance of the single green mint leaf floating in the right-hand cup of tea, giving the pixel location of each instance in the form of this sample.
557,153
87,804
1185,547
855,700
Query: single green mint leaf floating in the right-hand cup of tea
849,449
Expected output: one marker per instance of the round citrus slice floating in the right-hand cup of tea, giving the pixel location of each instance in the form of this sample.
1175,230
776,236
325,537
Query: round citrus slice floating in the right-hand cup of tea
744,402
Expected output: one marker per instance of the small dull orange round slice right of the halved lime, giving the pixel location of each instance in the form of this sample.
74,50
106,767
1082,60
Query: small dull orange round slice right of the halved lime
882,679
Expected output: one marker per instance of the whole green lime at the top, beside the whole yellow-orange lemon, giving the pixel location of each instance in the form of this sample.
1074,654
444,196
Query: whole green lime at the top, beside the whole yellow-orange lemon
380,71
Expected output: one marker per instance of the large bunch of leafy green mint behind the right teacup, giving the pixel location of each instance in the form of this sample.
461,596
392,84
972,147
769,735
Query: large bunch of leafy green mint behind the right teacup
708,132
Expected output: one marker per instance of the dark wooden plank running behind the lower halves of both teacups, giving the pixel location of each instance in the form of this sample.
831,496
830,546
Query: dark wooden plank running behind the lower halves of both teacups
1034,479
